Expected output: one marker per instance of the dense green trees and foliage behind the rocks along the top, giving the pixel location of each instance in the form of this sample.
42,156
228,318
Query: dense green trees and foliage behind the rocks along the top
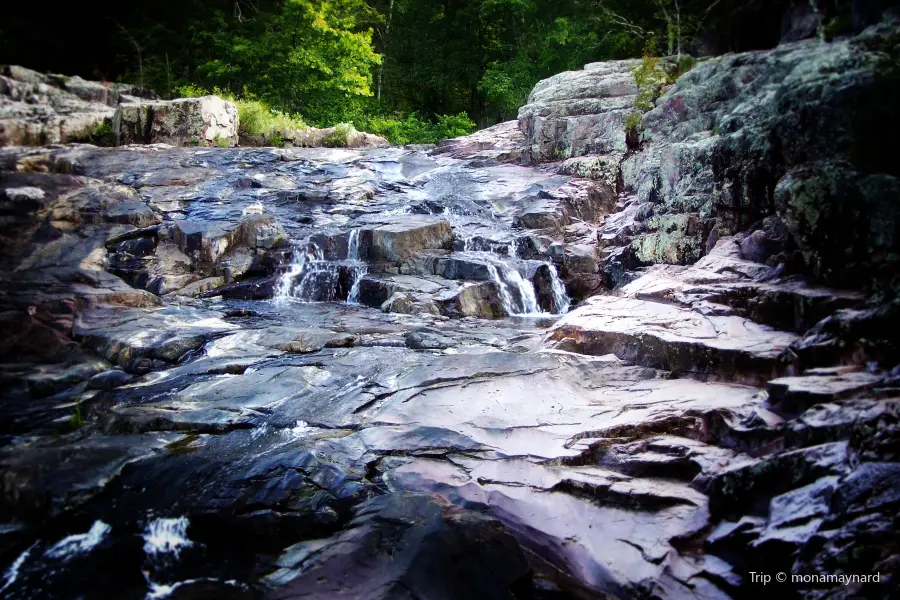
392,67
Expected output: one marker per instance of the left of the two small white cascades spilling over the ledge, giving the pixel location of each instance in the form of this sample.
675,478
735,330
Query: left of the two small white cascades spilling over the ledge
311,278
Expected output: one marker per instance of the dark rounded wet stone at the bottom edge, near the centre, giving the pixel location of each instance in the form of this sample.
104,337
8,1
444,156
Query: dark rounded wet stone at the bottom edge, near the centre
415,546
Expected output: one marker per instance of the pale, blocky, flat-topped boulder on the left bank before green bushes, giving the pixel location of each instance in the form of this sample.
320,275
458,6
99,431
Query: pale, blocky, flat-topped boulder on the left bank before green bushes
205,121
